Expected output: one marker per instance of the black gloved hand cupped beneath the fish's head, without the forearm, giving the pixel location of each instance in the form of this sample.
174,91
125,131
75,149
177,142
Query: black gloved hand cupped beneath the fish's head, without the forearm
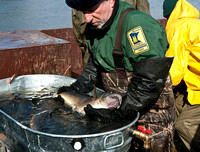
108,115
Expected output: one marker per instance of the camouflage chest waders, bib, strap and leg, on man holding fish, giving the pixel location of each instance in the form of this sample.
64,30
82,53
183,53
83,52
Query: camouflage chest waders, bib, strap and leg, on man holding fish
159,117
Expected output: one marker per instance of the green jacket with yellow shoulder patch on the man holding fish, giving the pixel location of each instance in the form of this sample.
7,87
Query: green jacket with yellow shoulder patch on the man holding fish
142,37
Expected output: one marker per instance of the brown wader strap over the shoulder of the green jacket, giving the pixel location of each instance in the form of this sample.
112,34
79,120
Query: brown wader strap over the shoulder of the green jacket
117,53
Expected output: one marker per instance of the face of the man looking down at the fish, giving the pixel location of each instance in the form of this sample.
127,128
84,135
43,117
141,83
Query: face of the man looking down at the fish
100,13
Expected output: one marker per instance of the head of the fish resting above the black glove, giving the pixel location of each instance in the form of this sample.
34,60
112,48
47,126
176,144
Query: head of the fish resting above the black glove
108,101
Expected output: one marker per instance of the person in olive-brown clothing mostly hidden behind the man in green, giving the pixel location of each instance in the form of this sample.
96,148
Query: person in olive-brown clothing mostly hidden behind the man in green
78,21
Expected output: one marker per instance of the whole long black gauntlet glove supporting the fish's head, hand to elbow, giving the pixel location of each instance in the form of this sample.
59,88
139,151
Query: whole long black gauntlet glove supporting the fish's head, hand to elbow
148,81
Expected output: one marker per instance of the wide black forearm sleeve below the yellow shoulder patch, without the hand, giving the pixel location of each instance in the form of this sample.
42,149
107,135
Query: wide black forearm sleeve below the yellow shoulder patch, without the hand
147,83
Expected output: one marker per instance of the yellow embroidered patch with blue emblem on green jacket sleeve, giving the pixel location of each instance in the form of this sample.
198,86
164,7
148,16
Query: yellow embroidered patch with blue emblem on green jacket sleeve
138,40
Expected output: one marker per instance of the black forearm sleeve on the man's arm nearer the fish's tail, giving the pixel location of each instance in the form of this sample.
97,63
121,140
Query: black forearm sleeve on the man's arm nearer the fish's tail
85,83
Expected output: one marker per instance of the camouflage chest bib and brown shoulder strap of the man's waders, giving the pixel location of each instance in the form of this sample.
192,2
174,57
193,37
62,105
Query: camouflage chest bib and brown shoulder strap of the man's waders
118,80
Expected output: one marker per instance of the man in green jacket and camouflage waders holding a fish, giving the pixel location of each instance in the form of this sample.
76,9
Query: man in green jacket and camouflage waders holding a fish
137,68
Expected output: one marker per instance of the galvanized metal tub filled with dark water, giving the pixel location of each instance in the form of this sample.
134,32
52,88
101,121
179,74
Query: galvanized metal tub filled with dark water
17,137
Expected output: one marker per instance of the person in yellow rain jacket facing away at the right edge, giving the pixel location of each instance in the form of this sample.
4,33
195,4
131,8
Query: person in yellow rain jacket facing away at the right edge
183,34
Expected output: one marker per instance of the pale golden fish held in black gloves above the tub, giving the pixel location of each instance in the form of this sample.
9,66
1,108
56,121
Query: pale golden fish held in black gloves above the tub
79,101
